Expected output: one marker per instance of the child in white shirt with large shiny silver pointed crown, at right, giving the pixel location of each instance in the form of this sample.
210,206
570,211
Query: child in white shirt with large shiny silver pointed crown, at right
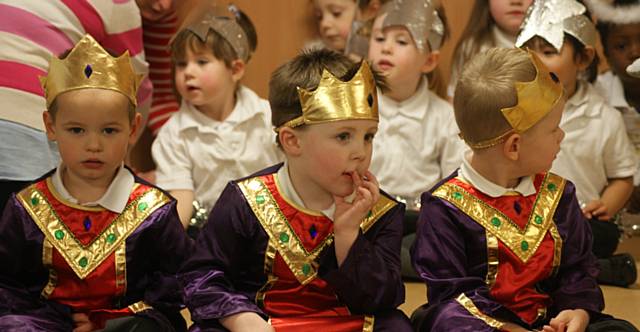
596,154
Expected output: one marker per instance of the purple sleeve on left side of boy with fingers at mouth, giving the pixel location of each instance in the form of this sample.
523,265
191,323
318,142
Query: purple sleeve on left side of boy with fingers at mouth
225,263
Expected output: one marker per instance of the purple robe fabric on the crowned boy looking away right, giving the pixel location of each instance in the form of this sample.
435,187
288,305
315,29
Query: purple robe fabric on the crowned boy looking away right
451,255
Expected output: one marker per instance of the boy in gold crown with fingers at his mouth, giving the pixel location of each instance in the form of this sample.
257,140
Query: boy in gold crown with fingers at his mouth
312,242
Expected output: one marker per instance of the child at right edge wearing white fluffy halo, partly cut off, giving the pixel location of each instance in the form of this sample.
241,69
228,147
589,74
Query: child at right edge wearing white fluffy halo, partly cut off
619,32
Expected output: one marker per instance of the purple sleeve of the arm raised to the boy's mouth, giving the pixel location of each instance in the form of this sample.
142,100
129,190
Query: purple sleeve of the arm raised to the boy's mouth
369,279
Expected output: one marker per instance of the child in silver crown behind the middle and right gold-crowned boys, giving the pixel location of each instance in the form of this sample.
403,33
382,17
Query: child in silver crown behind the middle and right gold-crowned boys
417,143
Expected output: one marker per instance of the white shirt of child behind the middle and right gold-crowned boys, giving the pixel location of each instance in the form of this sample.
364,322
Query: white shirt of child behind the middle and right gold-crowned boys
417,143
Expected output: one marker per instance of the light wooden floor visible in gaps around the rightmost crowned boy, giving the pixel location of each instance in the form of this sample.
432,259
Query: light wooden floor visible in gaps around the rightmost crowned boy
623,303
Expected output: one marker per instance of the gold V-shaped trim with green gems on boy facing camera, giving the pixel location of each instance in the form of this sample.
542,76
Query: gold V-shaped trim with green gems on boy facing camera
84,259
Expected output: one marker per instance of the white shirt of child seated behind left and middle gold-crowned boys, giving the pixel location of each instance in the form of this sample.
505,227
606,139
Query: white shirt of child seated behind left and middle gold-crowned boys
195,152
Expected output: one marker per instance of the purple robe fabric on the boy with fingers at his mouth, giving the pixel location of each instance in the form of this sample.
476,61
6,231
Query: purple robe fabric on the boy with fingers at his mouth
227,269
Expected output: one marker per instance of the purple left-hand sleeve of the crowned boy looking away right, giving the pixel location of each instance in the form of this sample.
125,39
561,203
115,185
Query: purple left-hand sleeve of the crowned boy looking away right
450,256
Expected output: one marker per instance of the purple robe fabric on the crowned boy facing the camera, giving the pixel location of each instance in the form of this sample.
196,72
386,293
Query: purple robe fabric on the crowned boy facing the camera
154,251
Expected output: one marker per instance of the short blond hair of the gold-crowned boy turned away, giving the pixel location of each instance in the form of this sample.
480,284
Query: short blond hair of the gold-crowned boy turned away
487,85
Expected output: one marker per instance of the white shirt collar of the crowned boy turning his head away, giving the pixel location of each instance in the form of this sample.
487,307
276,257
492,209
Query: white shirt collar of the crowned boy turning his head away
525,187
